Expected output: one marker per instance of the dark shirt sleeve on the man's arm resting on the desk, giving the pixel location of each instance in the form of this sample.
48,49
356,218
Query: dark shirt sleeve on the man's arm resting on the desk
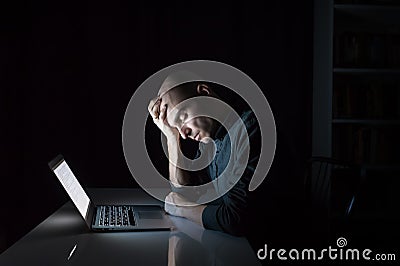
230,213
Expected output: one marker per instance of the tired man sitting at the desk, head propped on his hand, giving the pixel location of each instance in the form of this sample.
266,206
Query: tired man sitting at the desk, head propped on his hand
230,213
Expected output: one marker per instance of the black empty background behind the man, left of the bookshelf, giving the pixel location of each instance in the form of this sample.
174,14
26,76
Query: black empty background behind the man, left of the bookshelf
68,71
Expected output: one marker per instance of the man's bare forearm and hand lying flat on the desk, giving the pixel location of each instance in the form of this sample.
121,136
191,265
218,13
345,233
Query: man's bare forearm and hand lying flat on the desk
177,205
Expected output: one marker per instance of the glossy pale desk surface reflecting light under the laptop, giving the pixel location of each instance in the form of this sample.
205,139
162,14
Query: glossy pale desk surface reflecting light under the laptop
51,242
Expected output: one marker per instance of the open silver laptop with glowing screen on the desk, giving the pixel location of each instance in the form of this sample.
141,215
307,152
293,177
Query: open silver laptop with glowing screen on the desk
108,217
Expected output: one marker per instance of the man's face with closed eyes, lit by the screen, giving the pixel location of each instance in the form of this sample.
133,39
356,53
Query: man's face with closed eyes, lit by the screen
185,118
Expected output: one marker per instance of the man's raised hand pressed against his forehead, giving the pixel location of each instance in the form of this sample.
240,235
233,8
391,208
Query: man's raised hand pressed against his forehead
158,111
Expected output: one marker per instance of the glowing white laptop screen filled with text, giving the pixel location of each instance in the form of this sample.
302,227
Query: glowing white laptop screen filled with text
73,188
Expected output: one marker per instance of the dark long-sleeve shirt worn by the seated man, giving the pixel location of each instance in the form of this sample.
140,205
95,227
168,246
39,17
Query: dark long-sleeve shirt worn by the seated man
229,213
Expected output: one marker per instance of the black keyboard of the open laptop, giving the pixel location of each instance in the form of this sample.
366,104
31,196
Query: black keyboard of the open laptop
117,216
